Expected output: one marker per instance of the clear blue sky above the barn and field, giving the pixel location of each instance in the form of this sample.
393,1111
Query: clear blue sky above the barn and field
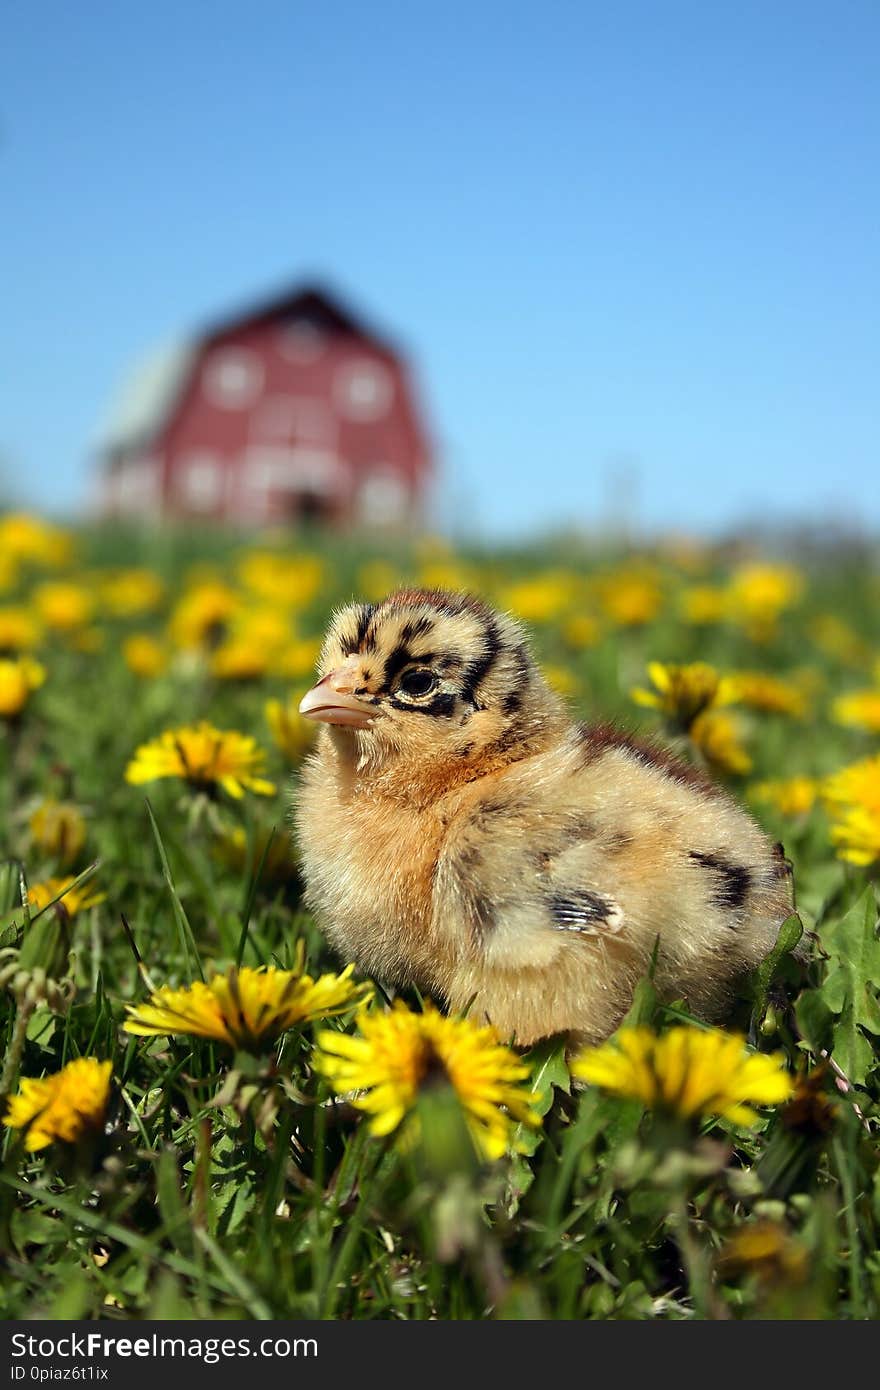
632,236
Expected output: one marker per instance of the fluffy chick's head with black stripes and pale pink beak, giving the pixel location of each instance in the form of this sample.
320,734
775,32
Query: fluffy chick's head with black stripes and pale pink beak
430,676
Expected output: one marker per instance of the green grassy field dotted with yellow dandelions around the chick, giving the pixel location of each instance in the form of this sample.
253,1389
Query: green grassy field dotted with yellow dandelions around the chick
231,1179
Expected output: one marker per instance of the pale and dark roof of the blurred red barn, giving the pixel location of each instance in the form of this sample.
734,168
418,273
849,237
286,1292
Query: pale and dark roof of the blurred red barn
152,390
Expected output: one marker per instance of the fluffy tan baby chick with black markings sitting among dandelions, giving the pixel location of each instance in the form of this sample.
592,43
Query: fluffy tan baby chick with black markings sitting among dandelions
461,833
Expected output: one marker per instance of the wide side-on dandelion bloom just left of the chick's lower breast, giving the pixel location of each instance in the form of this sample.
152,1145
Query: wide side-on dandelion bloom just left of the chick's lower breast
248,1010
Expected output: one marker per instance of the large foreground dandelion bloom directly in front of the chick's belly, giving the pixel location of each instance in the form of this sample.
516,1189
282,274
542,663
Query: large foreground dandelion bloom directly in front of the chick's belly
398,1054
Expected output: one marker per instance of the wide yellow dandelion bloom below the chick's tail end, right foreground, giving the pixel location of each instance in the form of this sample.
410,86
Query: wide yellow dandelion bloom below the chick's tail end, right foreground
687,1072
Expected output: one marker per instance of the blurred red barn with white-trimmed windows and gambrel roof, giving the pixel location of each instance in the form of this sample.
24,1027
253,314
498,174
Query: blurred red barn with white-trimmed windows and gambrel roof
291,412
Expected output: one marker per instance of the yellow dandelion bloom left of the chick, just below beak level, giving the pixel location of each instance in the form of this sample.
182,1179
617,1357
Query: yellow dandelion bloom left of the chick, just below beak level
204,757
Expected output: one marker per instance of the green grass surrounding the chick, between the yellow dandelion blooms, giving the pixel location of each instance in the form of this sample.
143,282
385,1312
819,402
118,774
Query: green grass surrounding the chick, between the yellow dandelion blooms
190,1209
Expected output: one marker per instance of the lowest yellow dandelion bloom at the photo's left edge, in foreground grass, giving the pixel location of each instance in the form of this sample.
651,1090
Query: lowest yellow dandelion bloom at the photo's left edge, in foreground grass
62,1107
